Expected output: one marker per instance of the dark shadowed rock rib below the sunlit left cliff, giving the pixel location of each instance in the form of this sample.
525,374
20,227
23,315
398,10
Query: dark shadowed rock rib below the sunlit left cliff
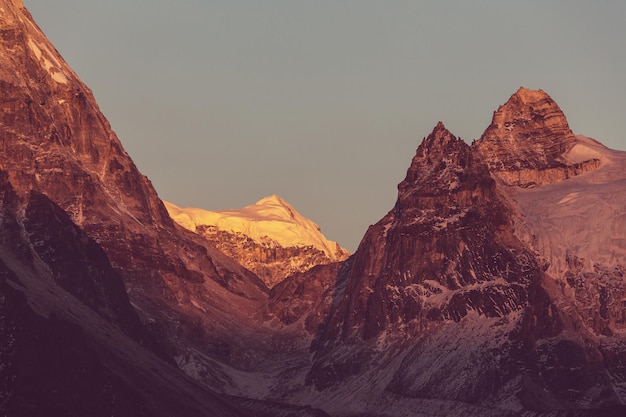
38,228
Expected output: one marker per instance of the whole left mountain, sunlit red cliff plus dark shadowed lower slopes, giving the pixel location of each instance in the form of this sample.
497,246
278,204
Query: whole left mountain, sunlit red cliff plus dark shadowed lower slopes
103,295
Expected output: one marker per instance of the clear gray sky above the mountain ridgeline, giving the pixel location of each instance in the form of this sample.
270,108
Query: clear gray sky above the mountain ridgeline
324,102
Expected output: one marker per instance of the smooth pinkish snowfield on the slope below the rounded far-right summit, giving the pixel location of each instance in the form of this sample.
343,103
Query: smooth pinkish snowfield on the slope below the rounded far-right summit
584,216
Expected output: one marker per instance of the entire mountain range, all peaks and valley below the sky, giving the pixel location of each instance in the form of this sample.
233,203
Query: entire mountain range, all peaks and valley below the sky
494,286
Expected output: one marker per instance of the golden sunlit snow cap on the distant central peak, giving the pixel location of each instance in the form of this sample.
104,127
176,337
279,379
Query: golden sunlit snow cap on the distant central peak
269,218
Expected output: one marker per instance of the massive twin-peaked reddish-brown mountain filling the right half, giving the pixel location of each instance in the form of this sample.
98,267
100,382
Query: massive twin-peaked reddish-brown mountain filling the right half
494,286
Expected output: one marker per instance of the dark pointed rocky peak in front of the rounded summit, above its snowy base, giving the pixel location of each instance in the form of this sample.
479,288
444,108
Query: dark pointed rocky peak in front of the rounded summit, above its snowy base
447,244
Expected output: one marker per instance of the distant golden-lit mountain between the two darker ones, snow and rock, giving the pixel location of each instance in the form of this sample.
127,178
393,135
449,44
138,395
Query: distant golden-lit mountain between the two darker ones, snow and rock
270,237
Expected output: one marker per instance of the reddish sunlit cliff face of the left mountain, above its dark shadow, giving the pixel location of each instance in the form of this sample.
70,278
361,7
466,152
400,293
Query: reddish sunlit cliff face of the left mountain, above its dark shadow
55,142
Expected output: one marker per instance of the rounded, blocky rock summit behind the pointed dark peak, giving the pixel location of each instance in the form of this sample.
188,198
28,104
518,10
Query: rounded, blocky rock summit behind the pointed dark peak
528,142
